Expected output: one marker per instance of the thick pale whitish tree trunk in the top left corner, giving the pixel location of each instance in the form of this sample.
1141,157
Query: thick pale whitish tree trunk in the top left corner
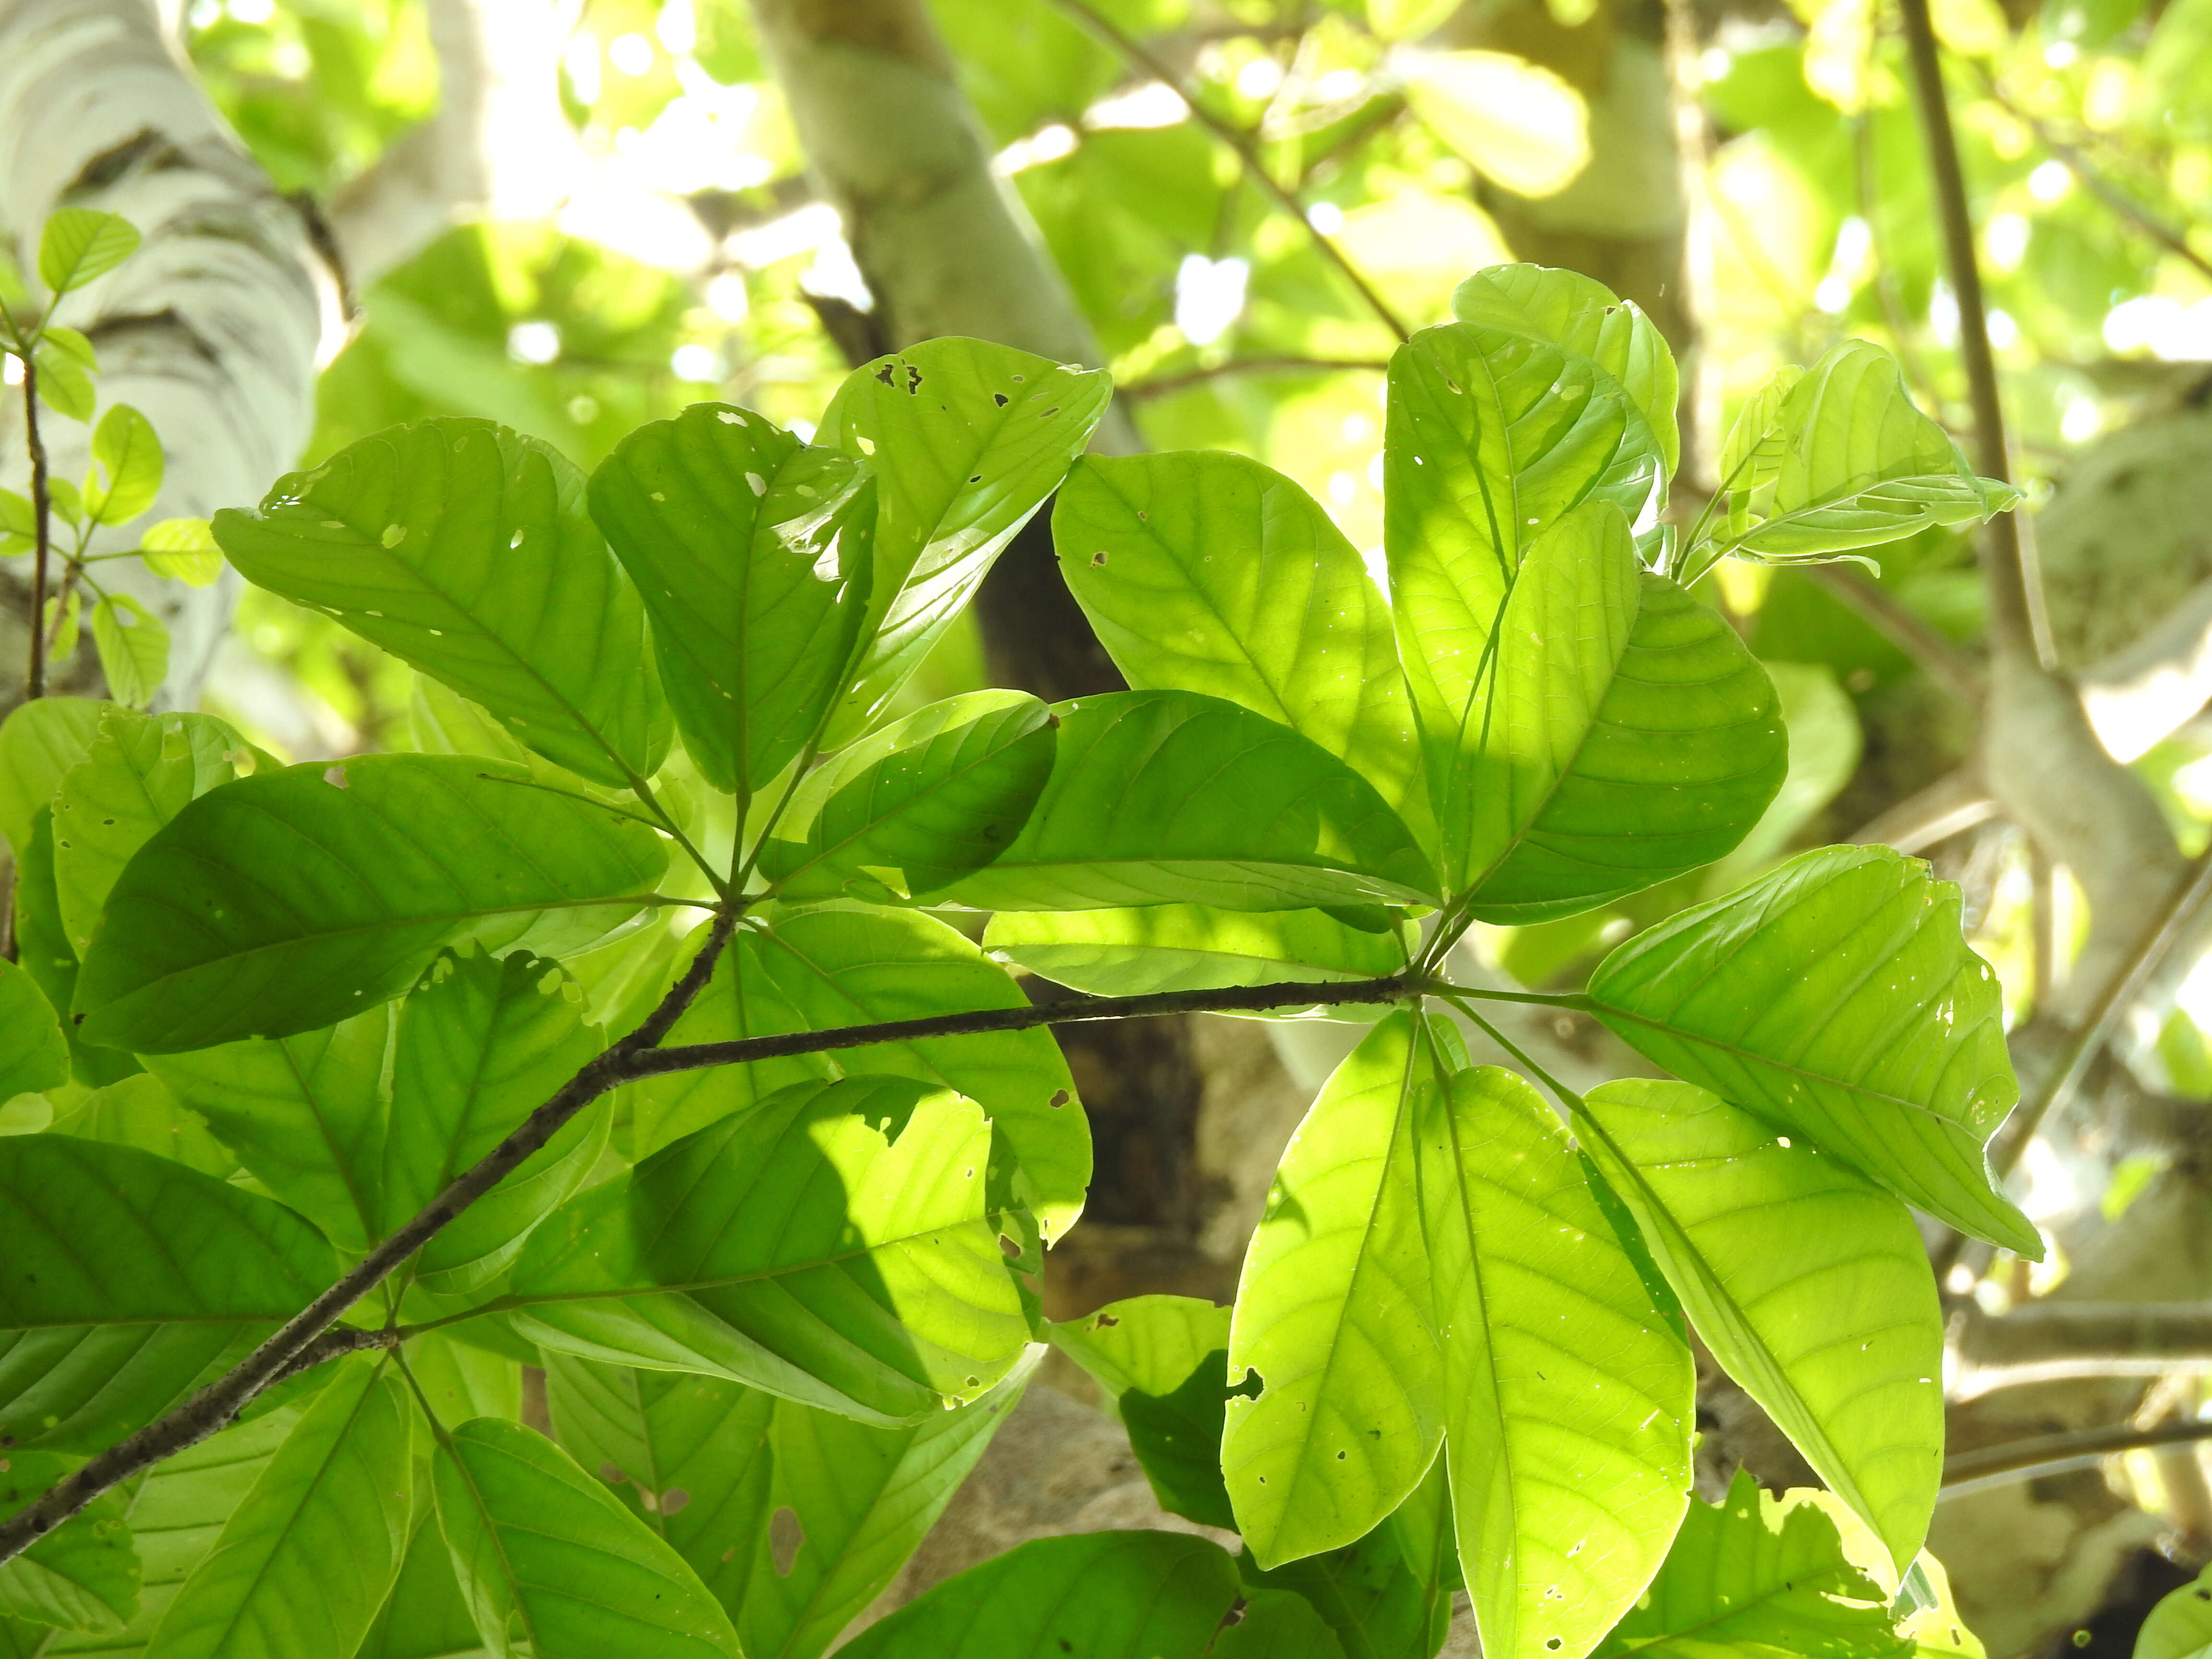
213,328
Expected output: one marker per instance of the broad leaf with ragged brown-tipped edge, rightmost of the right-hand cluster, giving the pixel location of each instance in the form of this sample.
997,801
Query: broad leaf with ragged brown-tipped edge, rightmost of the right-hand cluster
1837,999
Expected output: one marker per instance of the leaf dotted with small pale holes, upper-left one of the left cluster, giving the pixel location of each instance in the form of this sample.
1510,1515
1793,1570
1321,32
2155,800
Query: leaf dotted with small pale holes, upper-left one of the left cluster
466,550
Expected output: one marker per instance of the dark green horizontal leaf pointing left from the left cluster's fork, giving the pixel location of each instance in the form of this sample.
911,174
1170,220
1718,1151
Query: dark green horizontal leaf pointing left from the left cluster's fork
317,893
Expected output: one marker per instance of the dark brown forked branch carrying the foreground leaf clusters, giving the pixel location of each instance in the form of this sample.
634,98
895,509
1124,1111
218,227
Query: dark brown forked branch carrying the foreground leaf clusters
286,1353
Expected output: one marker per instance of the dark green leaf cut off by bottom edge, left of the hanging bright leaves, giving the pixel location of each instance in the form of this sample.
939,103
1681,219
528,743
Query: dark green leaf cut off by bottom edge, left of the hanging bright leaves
1094,1596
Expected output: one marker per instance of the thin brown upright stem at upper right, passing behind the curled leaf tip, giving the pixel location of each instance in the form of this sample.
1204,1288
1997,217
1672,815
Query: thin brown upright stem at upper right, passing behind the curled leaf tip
2016,605
